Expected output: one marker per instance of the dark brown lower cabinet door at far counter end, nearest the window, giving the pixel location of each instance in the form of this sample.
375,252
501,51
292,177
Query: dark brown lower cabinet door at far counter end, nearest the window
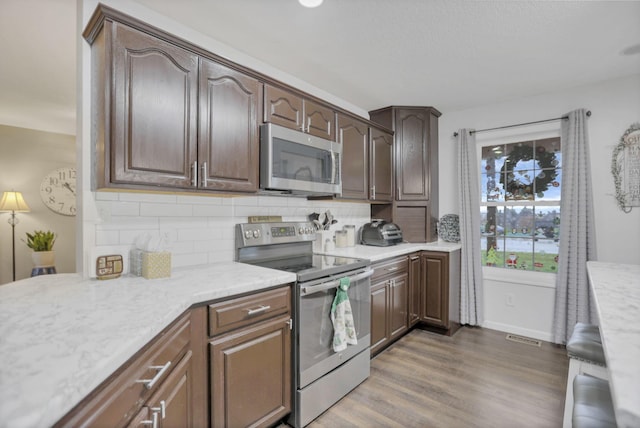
435,274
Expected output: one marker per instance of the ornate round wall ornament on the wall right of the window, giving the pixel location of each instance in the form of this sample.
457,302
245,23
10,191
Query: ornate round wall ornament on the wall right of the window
625,167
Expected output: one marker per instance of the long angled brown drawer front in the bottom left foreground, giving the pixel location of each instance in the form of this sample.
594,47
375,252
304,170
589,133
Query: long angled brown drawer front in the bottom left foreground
121,397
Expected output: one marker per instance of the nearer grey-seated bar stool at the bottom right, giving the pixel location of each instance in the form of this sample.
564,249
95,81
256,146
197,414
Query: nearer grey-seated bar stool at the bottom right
593,406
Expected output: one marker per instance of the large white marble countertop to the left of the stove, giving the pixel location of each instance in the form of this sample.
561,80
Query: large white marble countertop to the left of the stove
61,336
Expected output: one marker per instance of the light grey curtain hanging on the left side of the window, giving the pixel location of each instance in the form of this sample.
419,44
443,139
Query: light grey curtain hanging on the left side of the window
471,294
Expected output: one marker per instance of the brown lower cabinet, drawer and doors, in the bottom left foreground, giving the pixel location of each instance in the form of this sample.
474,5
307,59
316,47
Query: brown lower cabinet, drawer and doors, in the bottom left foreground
164,385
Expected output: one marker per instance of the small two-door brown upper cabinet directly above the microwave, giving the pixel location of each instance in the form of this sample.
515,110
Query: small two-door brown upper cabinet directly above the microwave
293,111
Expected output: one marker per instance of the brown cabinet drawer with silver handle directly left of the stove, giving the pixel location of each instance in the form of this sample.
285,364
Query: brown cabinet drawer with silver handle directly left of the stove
235,313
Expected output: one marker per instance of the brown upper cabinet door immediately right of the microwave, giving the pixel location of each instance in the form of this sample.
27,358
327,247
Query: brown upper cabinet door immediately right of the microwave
354,136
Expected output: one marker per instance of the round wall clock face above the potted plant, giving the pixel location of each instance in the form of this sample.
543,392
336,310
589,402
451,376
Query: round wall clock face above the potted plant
58,191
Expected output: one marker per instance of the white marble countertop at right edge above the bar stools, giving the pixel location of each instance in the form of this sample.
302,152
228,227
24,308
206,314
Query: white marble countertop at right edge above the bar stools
617,293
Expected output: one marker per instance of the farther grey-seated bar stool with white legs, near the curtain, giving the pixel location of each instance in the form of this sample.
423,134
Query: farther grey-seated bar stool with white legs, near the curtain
586,357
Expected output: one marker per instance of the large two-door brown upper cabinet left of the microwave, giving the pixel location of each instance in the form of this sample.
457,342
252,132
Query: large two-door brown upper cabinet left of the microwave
167,117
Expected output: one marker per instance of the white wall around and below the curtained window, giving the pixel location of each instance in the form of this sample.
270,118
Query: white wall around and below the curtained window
615,105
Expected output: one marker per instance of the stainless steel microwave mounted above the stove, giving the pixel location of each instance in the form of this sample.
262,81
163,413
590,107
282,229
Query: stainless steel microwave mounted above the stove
298,163
